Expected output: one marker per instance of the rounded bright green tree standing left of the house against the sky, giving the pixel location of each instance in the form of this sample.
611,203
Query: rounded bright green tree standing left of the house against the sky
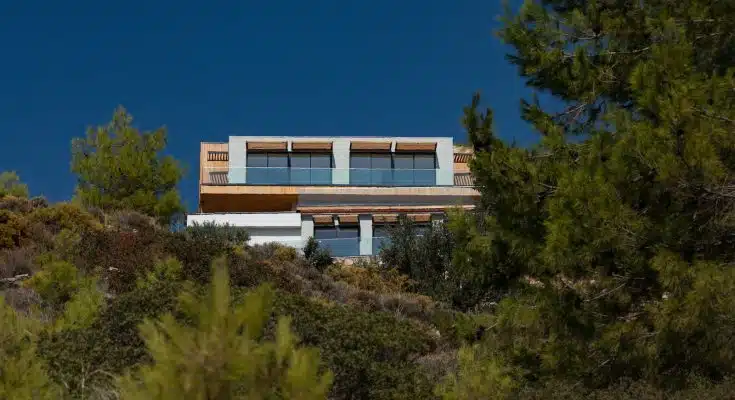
119,167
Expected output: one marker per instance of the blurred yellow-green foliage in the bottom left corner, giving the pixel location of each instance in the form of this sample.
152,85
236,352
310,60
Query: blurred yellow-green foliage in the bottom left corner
22,375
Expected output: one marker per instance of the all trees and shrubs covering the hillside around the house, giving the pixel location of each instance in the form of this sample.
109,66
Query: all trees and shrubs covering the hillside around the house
597,265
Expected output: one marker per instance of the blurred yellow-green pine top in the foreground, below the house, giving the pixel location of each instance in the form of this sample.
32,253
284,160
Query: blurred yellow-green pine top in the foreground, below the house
223,354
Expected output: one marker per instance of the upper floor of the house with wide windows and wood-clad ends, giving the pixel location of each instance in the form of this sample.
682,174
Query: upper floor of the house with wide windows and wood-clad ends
335,161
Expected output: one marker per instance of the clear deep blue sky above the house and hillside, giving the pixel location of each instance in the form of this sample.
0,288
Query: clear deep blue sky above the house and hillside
210,69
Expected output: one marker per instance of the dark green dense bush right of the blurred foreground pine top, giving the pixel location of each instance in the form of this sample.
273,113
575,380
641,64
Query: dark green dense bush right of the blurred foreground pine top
371,353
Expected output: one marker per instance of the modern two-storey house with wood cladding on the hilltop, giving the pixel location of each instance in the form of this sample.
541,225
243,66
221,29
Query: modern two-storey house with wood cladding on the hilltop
343,191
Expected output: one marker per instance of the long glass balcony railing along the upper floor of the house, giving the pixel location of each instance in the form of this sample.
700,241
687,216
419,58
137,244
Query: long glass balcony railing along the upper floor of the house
319,176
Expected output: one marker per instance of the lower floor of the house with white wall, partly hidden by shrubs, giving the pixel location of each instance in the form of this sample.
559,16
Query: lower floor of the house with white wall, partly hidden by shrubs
345,235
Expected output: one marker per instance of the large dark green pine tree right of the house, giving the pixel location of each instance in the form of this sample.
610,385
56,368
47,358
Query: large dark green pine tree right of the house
614,234
